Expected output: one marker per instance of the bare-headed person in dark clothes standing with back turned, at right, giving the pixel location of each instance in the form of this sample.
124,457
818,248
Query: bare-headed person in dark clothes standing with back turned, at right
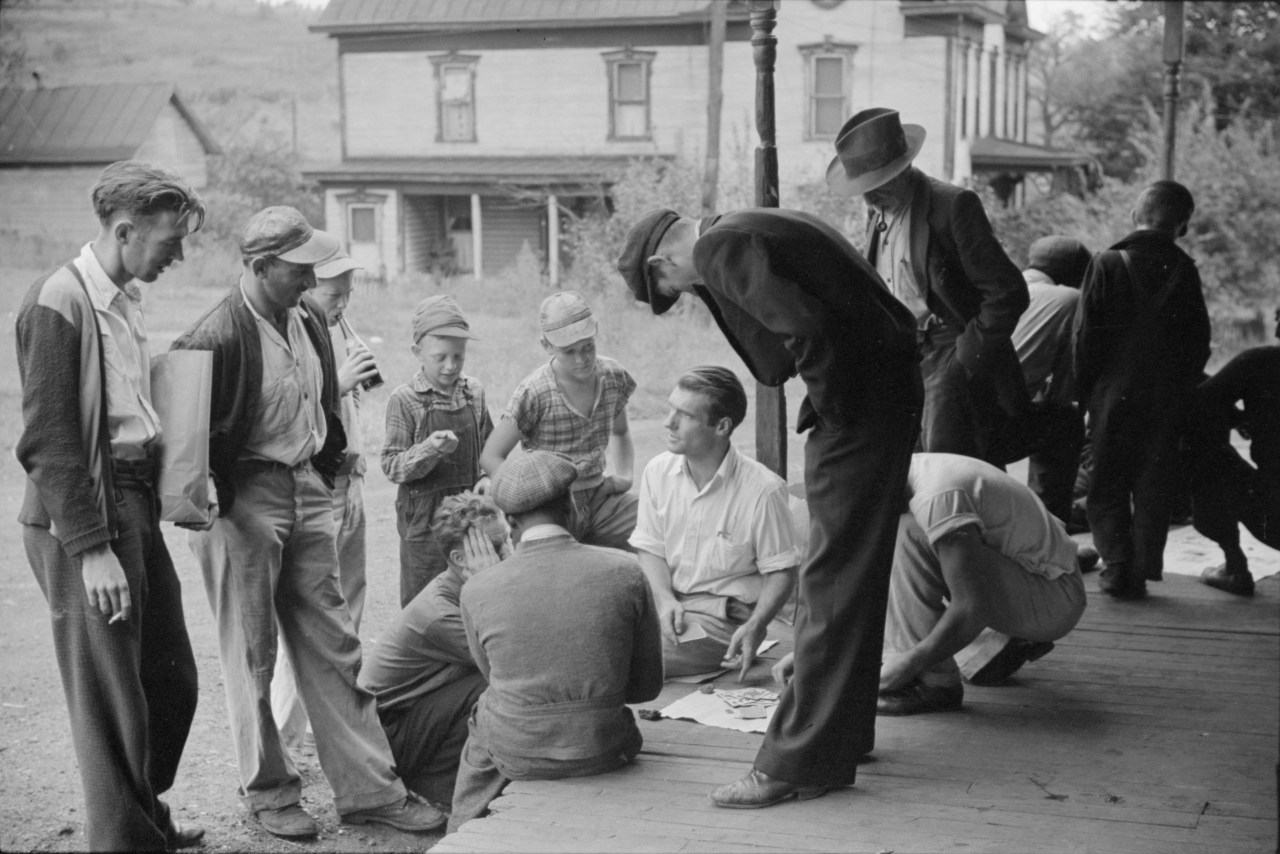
1142,339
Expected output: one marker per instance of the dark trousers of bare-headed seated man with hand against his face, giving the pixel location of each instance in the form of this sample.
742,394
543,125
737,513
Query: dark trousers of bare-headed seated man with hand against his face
428,734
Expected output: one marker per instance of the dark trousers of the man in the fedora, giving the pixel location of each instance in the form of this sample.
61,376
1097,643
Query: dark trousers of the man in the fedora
962,415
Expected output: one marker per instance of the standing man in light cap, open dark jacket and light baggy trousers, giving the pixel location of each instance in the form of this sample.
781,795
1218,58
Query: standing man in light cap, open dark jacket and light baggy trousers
269,558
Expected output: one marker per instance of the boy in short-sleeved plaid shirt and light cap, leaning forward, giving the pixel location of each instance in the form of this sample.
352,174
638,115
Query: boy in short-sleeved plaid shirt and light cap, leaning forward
577,405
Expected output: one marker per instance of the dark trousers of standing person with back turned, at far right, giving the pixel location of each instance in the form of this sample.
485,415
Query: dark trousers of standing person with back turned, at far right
1136,465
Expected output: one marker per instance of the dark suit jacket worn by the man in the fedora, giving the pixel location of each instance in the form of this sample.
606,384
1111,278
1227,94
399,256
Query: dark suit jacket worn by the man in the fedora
970,282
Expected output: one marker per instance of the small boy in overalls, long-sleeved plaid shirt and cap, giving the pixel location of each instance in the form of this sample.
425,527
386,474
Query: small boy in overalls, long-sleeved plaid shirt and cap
436,427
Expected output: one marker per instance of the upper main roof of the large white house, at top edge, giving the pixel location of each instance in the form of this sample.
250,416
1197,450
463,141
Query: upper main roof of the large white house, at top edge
382,16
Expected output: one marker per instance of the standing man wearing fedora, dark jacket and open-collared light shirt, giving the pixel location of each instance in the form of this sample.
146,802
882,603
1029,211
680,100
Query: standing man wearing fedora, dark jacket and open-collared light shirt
935,249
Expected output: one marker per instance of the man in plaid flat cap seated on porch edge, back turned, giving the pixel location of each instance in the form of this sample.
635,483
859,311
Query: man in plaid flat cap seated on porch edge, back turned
566,634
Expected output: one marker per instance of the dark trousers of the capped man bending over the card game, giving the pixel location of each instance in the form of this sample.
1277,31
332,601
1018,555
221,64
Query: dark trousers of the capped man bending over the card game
856,477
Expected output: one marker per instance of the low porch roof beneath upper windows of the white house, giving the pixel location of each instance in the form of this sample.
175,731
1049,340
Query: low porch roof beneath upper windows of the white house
463,171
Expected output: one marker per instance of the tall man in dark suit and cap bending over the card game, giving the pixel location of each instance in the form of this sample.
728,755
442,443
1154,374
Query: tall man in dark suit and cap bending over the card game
793,296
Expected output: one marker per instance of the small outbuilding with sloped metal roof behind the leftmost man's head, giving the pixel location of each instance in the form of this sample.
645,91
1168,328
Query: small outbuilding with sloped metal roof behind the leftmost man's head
56,141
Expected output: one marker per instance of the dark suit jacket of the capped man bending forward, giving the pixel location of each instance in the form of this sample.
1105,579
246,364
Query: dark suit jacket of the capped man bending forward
793,296
